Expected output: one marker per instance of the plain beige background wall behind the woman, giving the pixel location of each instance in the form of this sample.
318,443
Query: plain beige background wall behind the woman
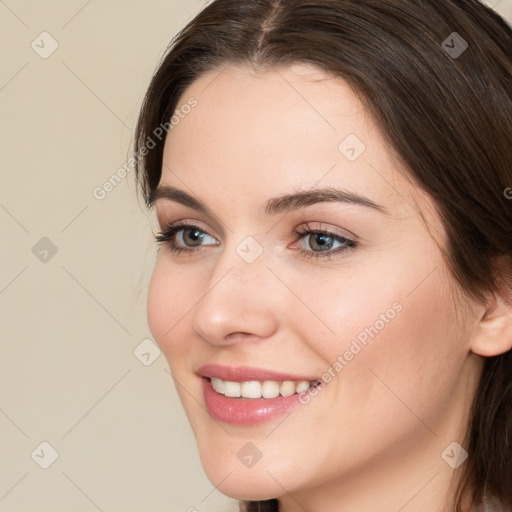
70,321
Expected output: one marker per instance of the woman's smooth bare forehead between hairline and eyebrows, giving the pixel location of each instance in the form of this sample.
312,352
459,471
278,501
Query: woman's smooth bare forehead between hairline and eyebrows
278,130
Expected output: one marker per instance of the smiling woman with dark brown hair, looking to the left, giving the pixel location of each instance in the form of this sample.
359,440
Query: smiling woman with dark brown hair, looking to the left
334,288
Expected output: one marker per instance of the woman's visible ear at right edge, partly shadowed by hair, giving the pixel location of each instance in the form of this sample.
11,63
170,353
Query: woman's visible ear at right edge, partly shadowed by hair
494,332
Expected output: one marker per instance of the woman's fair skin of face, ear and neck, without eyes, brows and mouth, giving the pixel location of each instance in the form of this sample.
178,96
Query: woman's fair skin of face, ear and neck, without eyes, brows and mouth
372,438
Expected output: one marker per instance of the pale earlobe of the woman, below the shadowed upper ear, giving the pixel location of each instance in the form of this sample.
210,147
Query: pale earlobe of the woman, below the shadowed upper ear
494,332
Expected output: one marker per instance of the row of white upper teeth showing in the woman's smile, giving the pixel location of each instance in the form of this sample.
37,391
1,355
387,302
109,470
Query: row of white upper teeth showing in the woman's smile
257,389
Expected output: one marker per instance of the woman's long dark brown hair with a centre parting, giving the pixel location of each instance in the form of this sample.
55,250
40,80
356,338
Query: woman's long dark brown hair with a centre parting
446,115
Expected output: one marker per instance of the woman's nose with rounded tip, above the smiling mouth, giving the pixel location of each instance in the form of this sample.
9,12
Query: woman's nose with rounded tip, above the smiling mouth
241,302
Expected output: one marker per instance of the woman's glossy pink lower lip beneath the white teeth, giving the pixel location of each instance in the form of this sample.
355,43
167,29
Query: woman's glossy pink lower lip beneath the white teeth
245,411
